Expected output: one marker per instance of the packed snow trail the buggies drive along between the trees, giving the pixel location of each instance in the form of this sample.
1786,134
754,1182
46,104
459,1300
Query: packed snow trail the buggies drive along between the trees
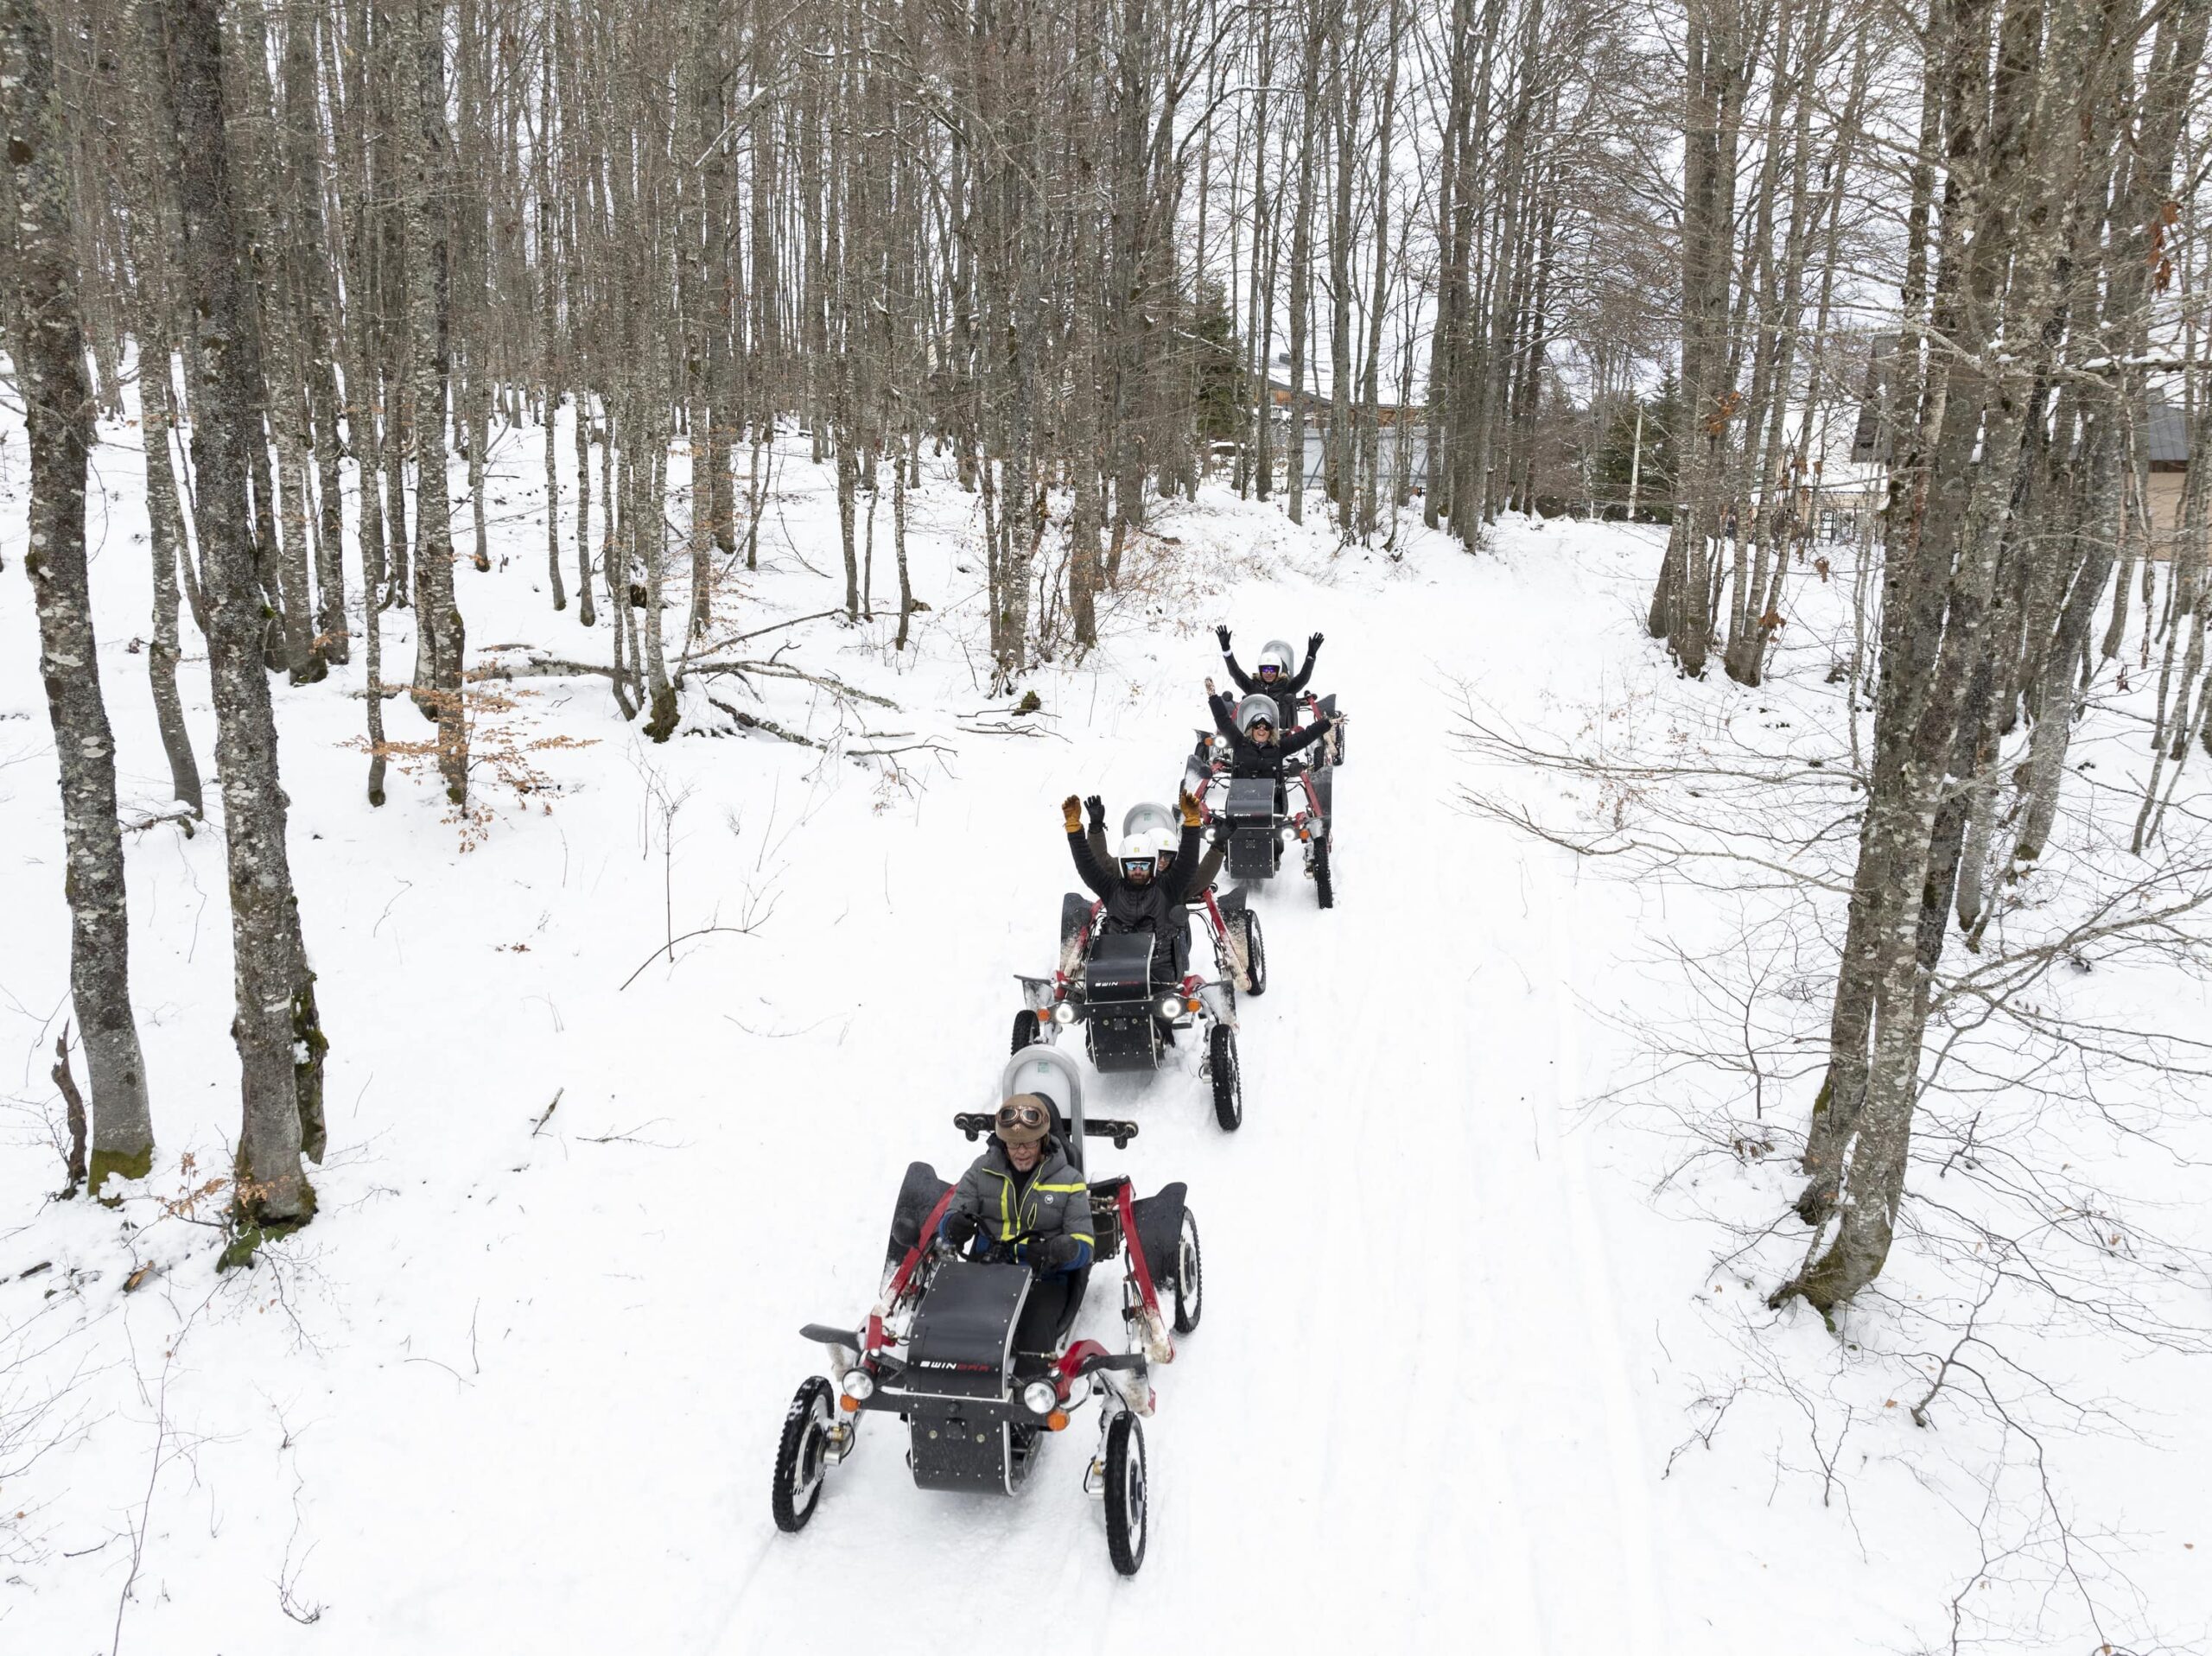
1404,1416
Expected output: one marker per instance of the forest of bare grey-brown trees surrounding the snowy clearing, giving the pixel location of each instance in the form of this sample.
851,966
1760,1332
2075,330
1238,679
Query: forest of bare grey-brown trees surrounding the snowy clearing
1379,260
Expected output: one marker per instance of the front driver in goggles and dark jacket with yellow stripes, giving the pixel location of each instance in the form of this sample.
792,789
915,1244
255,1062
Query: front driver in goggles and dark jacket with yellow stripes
1025,1197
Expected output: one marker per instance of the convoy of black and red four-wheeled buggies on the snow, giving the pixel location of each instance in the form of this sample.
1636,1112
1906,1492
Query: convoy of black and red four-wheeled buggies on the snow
974,1348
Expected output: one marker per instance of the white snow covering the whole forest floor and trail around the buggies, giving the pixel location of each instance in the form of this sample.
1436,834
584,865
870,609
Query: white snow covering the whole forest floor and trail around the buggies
519,1385
